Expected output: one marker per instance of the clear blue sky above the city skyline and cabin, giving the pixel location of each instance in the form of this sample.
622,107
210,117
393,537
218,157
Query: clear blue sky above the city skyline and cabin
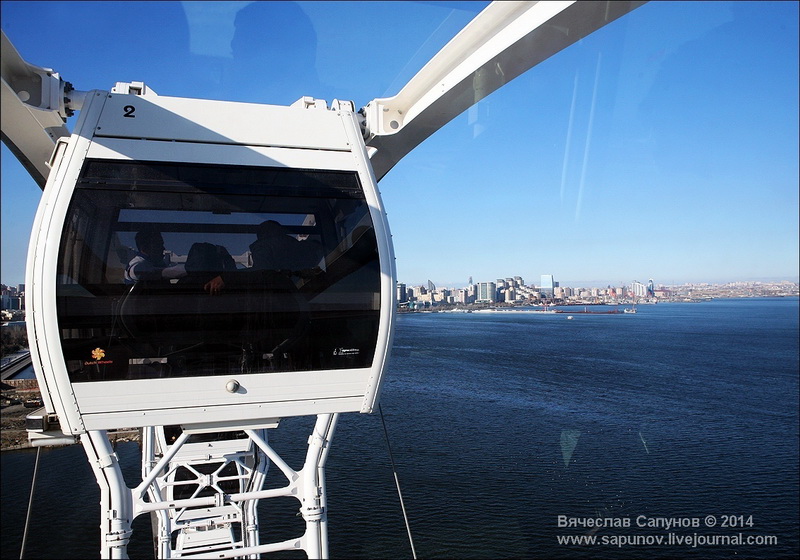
663,146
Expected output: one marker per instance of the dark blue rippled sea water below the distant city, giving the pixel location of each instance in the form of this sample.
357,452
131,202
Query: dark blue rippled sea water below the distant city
513,432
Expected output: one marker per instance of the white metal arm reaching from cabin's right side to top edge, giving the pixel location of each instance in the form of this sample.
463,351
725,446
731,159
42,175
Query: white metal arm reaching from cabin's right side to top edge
502,42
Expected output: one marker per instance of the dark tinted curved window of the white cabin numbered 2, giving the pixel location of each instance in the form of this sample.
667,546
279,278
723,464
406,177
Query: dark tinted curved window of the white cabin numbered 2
172,270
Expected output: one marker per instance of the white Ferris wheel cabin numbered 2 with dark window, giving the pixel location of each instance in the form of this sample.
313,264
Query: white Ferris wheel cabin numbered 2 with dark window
207,262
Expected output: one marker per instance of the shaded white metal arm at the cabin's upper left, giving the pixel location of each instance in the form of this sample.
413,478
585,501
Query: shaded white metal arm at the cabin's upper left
33,111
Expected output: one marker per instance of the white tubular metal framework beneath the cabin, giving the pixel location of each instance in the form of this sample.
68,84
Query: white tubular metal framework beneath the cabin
203,493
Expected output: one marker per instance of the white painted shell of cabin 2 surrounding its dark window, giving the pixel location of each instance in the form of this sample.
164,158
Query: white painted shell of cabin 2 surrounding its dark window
117,404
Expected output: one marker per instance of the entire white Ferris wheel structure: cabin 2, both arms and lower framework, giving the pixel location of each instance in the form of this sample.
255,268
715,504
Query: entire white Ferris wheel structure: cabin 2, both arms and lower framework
213,267
